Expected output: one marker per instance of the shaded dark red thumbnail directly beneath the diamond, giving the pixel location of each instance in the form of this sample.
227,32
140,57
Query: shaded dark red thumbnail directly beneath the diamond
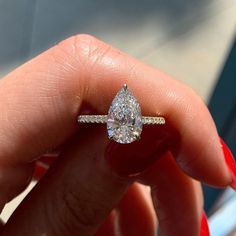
134,158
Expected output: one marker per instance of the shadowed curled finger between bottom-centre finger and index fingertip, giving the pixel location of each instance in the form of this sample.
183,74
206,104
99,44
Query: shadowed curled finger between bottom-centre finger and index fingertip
177,198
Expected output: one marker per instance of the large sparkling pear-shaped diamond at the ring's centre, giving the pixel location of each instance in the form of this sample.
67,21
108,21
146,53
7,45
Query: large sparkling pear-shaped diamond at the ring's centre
124,123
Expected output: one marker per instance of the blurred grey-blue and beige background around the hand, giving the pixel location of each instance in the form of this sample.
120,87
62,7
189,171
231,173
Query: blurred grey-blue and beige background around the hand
193,41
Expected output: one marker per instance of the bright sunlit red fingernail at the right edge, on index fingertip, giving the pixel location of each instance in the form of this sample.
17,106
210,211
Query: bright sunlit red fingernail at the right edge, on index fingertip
230,161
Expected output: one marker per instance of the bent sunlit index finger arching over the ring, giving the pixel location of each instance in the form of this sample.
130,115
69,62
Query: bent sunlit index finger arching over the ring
40,102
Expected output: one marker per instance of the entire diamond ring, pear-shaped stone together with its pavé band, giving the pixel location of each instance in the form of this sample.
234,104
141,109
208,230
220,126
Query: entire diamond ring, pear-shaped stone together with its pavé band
124,120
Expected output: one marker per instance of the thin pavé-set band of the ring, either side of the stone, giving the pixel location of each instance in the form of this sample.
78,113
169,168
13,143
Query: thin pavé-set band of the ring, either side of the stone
102,119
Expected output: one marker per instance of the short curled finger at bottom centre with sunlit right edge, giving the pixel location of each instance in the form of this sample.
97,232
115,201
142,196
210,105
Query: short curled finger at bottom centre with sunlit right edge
136,213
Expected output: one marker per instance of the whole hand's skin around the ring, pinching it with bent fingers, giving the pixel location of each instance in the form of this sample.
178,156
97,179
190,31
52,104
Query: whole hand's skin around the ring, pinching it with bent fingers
90,188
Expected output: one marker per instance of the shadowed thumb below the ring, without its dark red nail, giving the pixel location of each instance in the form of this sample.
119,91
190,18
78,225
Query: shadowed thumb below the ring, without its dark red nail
76,194
